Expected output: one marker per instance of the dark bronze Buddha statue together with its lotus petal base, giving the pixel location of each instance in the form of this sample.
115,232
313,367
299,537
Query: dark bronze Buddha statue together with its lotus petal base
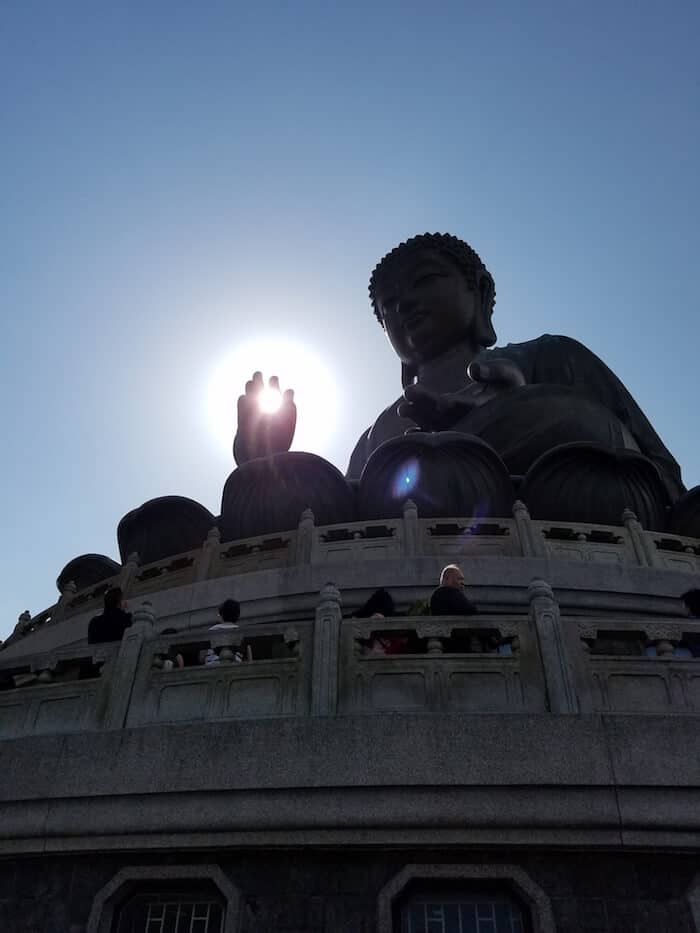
476,426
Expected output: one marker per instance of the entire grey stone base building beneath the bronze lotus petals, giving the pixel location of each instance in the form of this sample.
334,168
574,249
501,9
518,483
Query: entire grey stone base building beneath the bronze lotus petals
531,769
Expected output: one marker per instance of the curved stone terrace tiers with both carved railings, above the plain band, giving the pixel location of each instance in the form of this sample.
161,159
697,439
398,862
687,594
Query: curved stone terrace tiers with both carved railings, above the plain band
572,618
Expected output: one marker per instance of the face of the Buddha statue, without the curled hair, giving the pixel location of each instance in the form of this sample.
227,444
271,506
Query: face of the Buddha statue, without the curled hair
426,305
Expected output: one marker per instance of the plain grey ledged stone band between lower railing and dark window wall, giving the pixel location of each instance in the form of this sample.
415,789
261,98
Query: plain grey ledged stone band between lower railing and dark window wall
376,779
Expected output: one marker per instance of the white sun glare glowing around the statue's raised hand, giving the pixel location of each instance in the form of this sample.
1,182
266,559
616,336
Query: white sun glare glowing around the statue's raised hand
298,366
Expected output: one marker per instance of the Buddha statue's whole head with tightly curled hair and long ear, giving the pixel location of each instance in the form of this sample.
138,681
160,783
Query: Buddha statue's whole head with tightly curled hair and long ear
431,292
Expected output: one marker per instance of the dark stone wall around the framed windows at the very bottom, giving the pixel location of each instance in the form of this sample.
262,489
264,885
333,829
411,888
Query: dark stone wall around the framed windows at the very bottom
316,891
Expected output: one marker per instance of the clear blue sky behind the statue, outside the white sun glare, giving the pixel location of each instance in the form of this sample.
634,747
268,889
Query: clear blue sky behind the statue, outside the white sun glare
176,178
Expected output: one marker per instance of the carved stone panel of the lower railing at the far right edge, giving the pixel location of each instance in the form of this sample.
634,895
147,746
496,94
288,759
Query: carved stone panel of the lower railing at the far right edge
638,666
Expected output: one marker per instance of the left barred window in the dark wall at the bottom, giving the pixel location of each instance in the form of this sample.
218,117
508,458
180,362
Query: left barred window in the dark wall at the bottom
170,913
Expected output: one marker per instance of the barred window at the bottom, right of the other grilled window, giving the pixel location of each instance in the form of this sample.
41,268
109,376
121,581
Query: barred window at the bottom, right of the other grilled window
452,913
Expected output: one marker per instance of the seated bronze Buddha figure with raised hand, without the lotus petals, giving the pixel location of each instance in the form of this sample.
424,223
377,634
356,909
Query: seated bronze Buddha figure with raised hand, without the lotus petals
434,298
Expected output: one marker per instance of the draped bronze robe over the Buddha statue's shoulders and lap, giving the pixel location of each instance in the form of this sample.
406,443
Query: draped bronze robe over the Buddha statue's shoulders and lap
578,399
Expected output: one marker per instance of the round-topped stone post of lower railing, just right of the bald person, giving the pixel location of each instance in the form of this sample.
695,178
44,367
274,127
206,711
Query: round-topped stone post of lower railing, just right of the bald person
558,673
